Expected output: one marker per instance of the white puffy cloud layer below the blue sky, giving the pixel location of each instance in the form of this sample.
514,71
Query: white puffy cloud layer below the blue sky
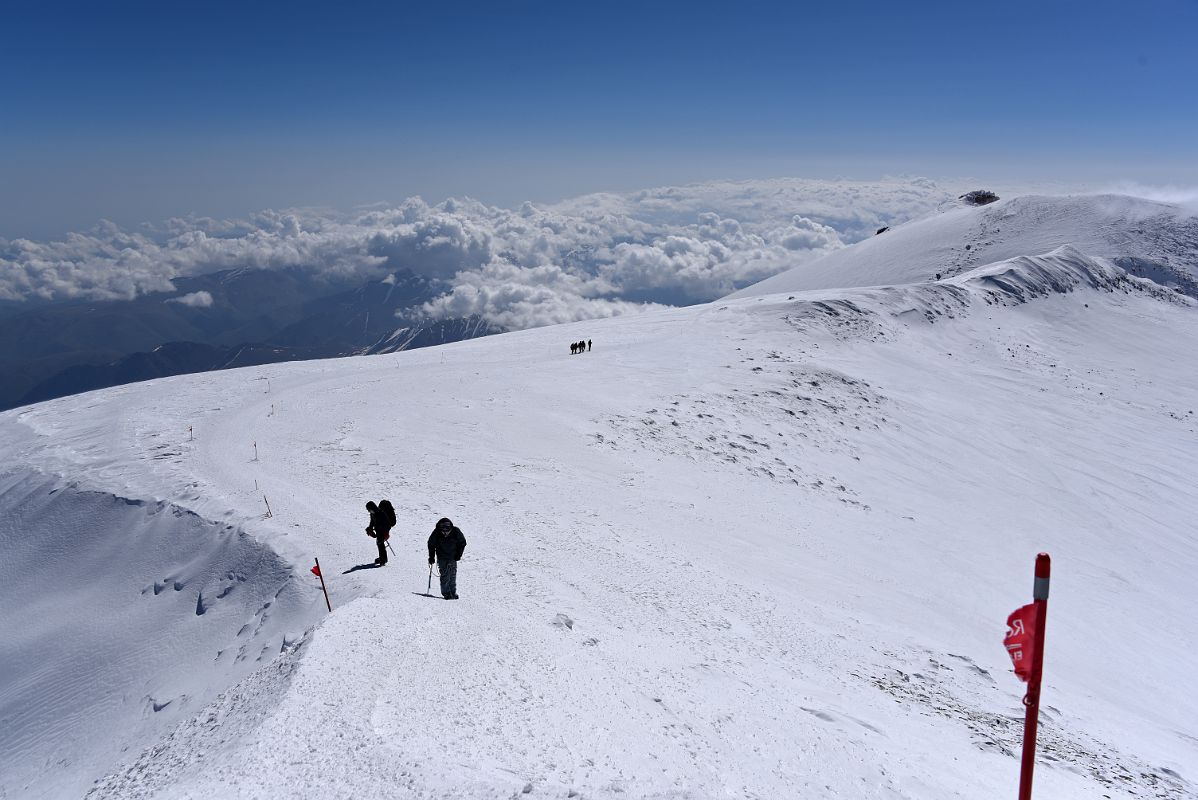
591,257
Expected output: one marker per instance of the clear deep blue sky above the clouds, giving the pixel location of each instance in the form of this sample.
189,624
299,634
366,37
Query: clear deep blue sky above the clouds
140,112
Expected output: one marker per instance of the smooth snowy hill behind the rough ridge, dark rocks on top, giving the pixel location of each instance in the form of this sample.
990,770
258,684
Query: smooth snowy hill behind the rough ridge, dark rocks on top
1149,239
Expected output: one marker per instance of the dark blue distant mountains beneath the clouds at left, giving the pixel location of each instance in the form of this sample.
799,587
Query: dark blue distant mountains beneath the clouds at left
256,317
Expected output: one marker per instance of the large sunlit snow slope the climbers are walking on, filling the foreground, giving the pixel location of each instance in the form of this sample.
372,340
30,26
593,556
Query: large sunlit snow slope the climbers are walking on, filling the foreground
758,549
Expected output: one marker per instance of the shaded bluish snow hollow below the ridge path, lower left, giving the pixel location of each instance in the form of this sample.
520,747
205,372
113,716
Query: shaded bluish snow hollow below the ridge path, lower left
124,613
